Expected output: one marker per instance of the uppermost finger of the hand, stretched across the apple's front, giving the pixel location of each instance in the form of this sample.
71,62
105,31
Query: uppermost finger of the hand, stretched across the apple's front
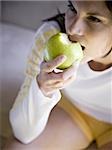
53,64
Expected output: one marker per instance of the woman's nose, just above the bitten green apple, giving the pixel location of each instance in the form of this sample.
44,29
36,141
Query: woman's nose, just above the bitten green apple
77,27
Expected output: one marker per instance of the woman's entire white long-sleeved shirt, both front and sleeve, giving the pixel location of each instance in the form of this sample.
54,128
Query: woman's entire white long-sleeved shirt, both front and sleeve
91,92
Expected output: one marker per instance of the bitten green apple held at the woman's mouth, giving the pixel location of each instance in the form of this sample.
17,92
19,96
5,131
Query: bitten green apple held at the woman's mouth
60,44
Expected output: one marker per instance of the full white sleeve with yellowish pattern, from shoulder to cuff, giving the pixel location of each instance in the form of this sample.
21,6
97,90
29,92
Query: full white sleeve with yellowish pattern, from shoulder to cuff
30,111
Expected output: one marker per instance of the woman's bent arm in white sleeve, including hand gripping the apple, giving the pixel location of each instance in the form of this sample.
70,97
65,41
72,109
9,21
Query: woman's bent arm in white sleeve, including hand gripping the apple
33,104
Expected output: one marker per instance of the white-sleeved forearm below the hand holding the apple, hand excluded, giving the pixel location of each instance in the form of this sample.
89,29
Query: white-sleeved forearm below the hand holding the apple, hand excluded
30,113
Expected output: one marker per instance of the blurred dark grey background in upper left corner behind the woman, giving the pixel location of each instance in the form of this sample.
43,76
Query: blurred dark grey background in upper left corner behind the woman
29,14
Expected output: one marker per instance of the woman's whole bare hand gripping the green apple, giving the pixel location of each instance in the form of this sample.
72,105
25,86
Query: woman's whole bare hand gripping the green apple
50,81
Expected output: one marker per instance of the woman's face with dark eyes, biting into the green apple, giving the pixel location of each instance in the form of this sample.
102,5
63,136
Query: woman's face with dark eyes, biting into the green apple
90,24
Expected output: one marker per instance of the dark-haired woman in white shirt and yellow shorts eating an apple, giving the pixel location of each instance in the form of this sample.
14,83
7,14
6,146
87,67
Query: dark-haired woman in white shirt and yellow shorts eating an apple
83,113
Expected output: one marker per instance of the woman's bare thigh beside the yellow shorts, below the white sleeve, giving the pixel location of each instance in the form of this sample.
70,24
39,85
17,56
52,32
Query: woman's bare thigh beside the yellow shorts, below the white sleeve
61,133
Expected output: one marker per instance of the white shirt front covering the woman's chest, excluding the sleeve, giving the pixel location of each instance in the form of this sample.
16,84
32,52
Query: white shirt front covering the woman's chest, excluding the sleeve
91,92
